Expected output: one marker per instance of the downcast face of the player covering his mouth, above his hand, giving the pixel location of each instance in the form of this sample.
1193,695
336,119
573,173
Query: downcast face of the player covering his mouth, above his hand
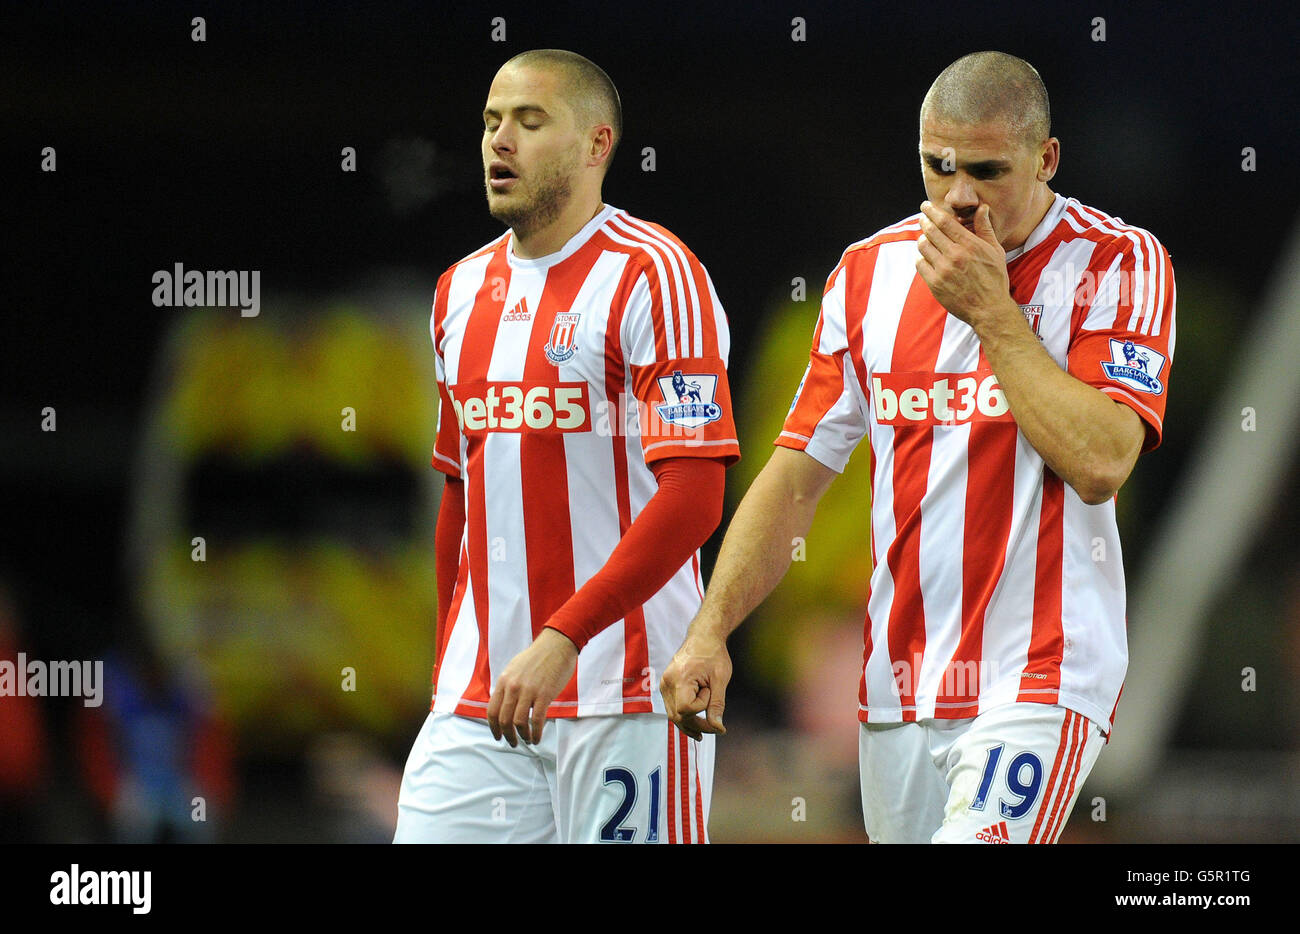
965,166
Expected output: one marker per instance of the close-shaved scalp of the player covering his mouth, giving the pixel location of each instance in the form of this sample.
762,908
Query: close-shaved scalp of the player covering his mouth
991,88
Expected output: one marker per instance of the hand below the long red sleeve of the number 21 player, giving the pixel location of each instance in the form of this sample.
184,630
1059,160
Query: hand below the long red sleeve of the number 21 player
528,686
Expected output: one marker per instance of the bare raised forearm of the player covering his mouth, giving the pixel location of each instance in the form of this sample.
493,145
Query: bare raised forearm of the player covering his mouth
1087,439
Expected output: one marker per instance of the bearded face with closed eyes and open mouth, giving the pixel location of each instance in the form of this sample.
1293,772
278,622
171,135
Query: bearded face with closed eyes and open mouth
532,149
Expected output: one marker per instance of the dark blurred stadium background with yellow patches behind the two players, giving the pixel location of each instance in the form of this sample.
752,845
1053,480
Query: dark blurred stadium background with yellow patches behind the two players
227,676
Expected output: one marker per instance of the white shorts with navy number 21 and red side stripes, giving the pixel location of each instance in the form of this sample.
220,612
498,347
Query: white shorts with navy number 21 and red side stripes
630,779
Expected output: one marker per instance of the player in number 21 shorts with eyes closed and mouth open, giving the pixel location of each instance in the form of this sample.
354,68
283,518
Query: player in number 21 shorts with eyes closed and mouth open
580,483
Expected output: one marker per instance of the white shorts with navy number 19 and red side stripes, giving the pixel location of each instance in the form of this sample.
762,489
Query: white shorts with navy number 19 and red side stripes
1009,776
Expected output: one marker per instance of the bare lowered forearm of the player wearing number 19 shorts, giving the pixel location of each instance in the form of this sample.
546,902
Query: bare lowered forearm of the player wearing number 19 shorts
759,547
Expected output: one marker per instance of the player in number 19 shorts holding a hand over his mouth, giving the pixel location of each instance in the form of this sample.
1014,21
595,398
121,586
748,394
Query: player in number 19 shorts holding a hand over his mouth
1007,356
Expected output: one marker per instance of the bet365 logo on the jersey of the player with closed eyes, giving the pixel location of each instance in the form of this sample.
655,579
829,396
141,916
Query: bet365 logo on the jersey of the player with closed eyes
521,408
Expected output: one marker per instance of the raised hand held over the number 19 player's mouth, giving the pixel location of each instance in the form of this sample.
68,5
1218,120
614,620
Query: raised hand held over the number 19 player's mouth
967,273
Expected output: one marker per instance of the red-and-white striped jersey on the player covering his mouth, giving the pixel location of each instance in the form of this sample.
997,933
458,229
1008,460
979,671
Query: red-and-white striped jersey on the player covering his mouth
993,582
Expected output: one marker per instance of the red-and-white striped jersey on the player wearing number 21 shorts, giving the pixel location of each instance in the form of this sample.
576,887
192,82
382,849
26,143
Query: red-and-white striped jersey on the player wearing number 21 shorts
561,379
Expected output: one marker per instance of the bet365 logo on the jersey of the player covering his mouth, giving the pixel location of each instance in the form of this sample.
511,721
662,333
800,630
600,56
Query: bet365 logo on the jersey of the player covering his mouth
921,399
